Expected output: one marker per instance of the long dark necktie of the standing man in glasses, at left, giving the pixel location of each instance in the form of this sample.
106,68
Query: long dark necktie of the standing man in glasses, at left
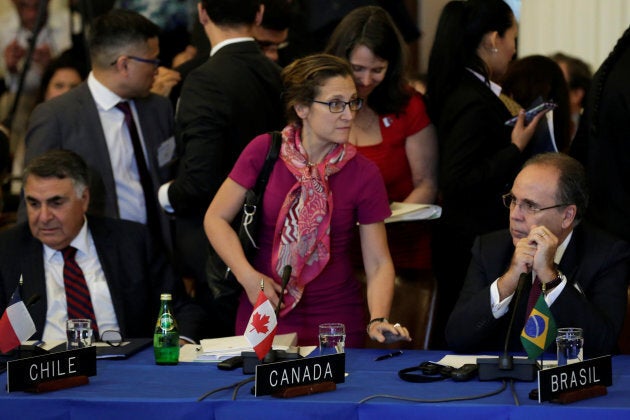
150,200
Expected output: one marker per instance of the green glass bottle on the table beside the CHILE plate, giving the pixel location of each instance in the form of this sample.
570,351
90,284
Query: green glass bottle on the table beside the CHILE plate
166,336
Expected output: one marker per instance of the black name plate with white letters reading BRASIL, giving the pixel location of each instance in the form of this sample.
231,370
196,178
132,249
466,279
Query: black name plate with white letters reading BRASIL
553,381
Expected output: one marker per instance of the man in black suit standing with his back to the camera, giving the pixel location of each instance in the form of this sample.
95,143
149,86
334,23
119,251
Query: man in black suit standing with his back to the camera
224,104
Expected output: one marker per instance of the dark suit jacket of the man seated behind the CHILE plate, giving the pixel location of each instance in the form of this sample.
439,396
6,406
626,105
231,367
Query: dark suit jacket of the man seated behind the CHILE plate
136,273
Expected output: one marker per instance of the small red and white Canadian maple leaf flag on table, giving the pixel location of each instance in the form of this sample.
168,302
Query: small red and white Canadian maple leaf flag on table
261,328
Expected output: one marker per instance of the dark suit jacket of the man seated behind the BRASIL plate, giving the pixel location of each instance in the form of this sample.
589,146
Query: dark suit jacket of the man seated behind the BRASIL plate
597,267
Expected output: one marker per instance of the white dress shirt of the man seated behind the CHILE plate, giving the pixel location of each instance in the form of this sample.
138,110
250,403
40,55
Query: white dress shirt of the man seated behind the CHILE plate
57,310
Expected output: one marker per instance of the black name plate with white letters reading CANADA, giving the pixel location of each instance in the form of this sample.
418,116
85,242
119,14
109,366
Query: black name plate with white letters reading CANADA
274,377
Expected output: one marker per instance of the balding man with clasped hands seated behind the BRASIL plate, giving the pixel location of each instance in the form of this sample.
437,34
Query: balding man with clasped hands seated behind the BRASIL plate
582,271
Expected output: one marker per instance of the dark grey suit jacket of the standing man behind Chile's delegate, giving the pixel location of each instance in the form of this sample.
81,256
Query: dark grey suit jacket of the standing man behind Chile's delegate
71,121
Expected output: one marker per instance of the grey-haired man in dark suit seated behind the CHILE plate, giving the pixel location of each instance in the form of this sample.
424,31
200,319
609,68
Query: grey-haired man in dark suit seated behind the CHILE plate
123,269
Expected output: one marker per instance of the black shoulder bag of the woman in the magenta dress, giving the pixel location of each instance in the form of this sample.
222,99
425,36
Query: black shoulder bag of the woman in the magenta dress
222,283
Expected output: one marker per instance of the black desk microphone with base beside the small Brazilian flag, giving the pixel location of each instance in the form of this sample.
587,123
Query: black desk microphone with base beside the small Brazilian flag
504,366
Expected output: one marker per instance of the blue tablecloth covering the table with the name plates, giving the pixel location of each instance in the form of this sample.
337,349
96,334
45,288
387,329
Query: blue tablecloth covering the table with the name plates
137,388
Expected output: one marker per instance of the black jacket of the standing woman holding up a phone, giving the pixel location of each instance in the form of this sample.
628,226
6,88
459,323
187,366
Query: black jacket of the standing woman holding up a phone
478,162
